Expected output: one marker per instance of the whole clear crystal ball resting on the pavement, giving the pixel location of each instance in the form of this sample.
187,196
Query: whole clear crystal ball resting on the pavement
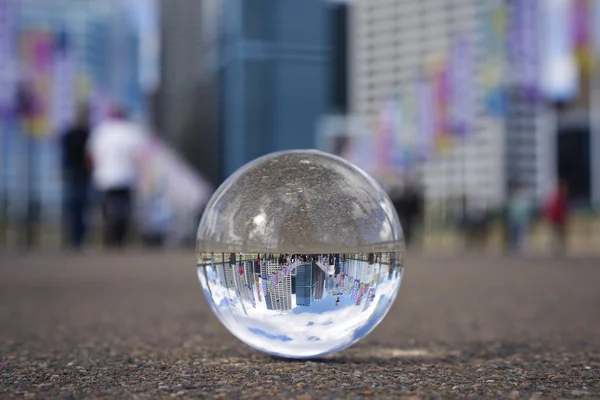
300,254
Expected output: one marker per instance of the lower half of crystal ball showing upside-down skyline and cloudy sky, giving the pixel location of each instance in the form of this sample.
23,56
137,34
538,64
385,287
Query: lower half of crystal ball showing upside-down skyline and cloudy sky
300,305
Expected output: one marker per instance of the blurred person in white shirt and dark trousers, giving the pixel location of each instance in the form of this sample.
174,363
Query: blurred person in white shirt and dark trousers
114,148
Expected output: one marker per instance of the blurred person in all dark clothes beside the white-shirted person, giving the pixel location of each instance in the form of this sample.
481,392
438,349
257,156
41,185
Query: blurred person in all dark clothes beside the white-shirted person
76,178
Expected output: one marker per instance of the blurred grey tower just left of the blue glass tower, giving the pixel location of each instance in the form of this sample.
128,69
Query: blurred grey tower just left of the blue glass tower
185,105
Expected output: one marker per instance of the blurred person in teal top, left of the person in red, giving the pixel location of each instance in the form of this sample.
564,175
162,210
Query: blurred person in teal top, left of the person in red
519,215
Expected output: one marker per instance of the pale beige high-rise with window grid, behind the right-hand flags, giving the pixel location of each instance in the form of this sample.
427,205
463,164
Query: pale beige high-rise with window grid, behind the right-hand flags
392,42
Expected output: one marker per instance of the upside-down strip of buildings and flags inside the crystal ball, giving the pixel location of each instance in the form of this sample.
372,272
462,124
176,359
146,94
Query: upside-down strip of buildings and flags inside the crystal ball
286,283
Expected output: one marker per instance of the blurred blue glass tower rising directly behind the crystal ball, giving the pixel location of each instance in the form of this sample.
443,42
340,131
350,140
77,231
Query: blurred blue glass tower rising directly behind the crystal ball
270,61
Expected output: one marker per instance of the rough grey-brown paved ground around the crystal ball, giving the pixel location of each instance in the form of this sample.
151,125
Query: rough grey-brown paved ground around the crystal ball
75,326
